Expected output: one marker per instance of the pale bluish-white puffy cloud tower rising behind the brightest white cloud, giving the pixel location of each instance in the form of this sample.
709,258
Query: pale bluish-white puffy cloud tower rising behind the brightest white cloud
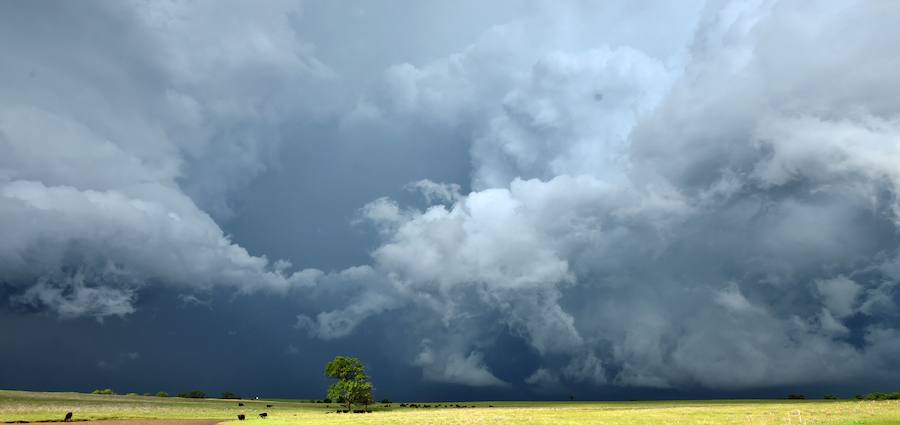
572,115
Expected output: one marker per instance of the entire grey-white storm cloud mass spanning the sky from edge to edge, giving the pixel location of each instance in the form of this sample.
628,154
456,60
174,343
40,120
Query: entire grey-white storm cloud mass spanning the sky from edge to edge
681,196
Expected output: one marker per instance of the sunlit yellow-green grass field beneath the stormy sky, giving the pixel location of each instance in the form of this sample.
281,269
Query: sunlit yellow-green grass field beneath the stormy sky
34,406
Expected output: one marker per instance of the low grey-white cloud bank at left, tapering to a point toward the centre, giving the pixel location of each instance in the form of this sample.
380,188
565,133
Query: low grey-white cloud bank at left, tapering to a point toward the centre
144,233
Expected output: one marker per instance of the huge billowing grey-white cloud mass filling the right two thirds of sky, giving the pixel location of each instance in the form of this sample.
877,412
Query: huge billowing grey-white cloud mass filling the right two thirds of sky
703,217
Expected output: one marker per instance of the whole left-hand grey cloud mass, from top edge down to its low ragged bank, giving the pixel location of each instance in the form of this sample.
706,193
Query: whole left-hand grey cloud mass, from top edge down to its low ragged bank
122,134
